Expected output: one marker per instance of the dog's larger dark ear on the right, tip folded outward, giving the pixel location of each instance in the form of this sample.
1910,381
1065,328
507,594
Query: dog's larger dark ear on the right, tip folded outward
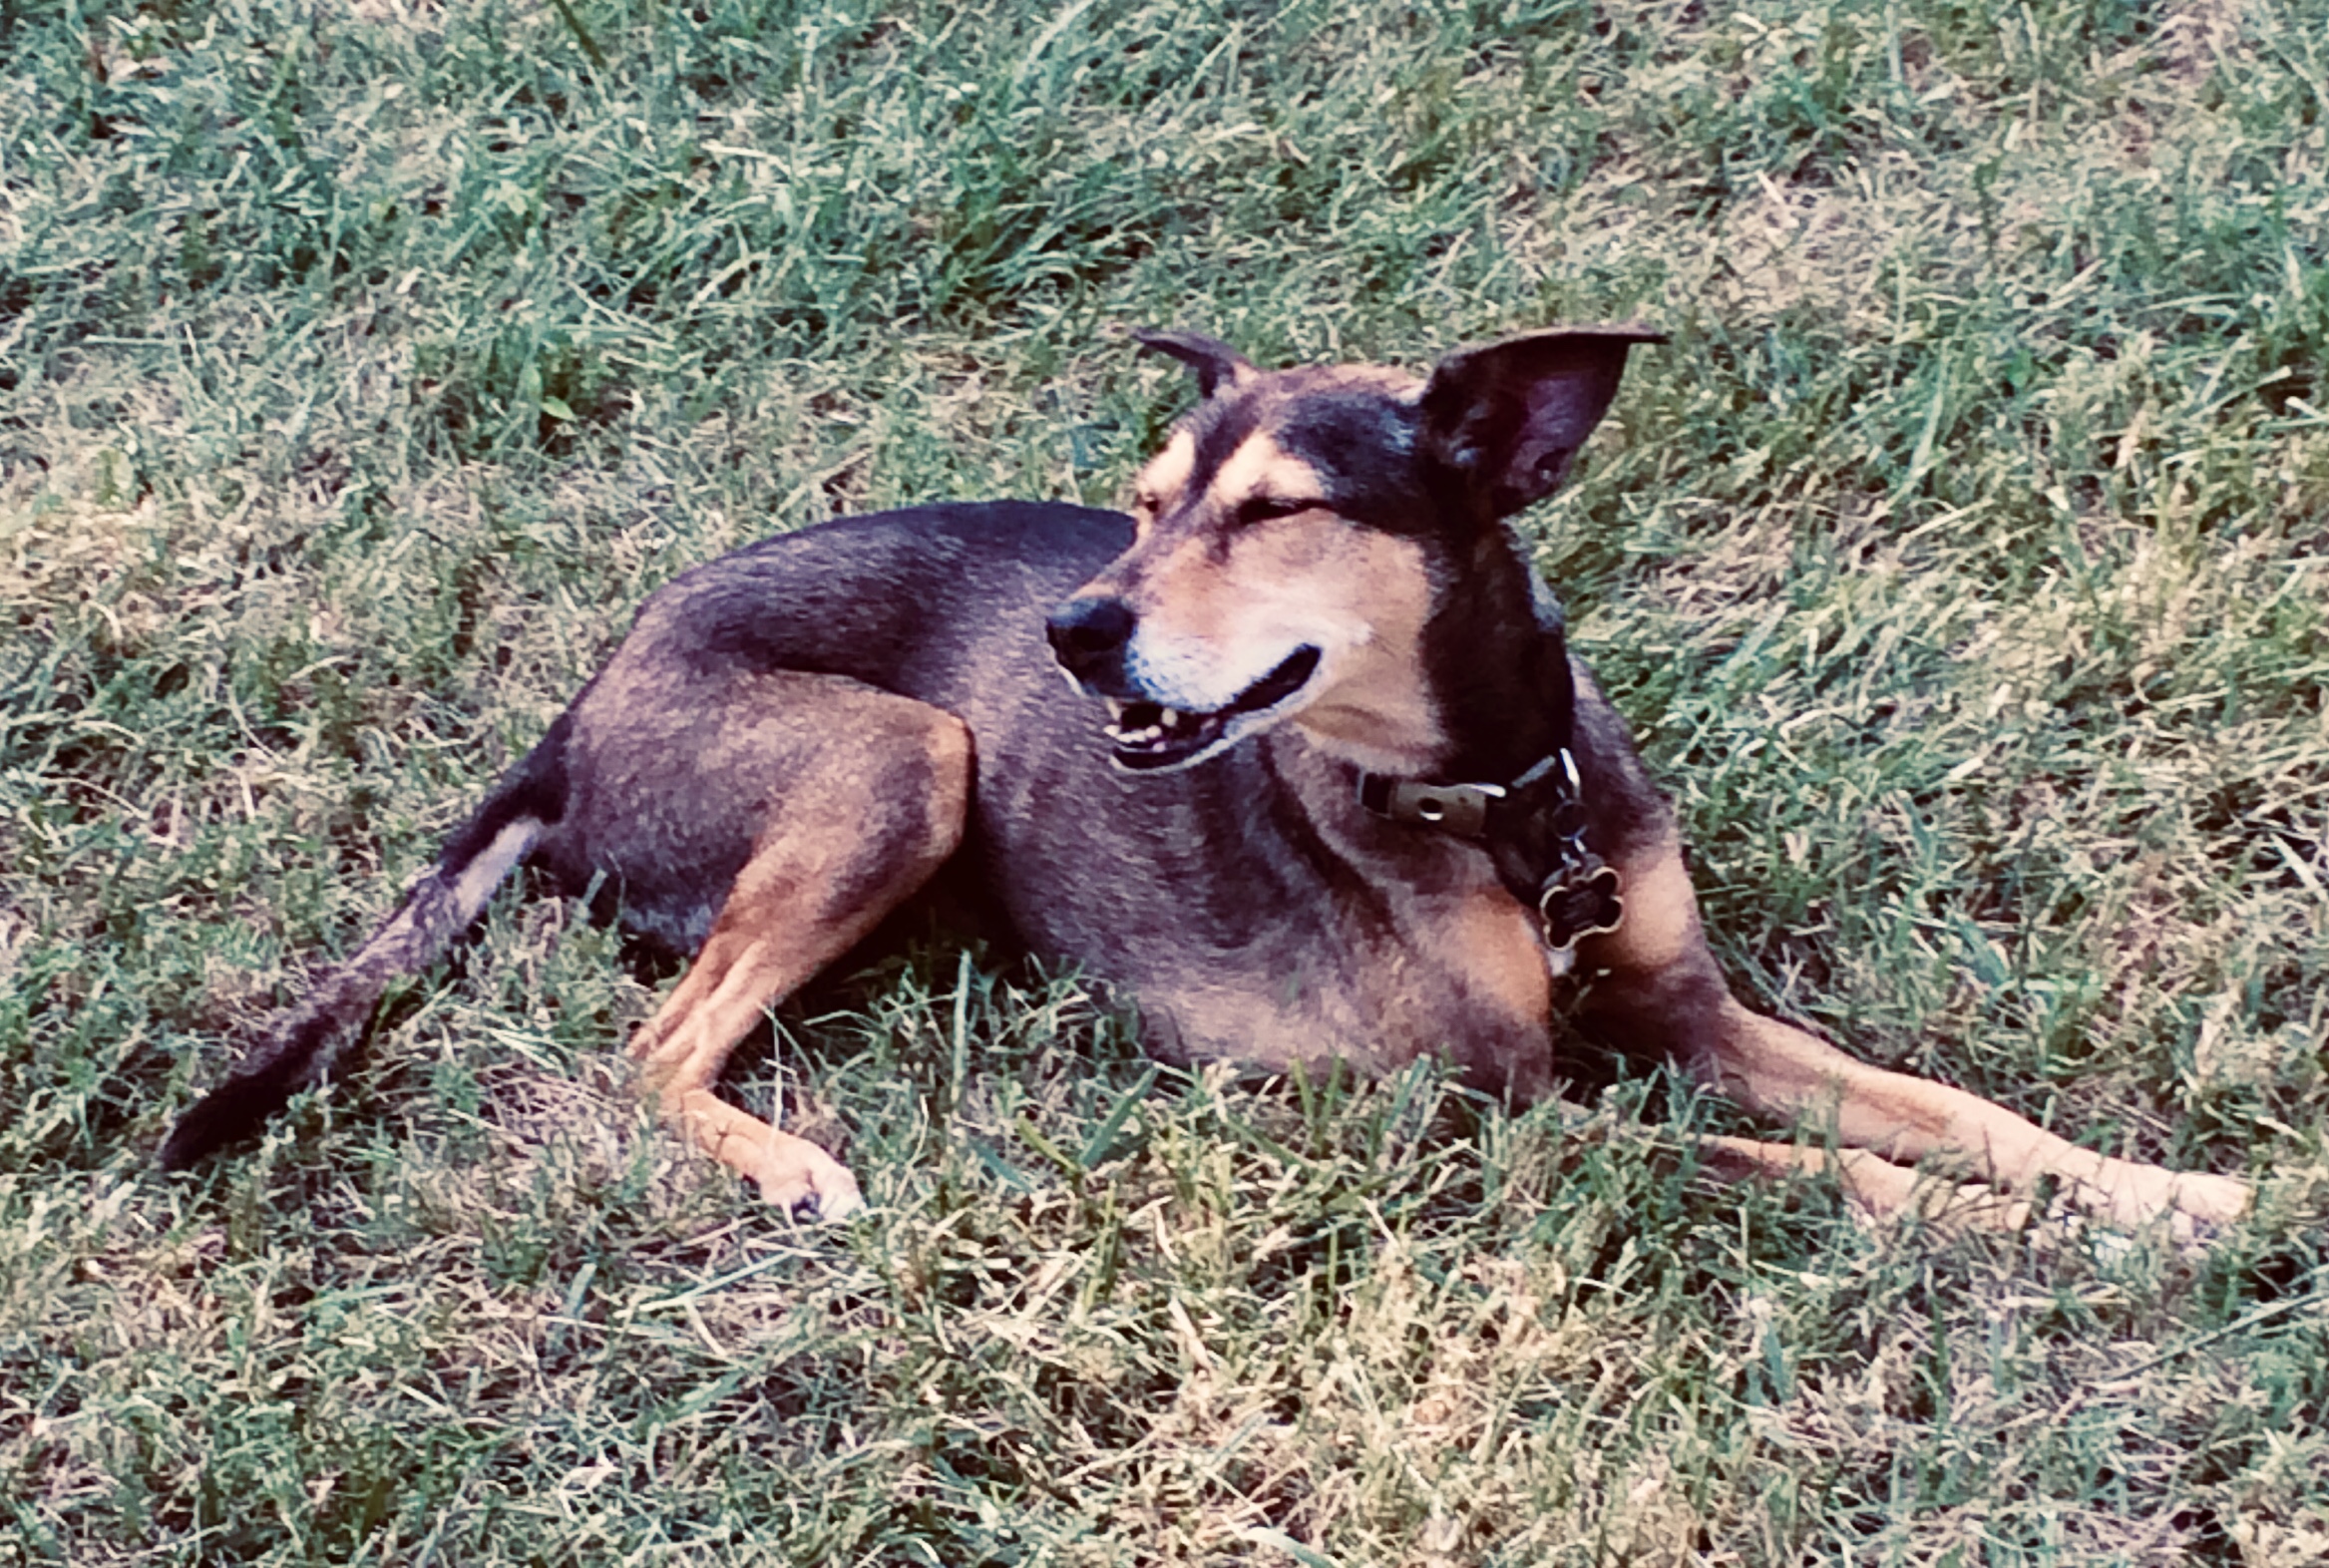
1506,421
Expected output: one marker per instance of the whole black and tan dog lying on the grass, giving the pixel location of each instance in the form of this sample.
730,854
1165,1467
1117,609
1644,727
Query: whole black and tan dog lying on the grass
1324,784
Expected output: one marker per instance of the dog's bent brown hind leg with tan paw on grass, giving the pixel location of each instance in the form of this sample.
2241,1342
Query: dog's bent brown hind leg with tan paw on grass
858,798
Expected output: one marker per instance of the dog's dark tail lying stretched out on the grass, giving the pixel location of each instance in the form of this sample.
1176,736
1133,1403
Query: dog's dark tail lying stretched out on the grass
316,1038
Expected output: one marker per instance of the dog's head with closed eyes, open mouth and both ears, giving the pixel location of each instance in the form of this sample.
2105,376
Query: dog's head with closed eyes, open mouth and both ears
1298,532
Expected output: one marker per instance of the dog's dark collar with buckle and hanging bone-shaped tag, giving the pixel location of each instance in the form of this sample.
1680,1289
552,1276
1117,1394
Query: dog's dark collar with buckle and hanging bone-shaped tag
1578,896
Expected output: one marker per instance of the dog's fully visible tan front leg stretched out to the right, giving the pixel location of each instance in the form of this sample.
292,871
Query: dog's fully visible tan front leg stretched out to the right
1657,989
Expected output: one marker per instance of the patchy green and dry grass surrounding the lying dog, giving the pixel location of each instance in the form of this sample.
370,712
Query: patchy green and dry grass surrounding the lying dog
1965,567
